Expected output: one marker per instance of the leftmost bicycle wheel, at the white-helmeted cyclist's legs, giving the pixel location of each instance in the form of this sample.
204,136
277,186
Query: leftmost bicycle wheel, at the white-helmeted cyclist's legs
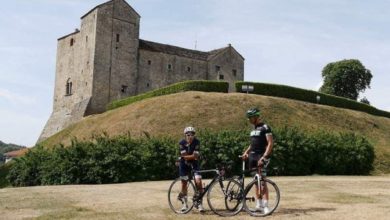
180,203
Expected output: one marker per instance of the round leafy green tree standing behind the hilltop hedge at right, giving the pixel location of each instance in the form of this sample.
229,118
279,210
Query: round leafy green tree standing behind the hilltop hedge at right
345,78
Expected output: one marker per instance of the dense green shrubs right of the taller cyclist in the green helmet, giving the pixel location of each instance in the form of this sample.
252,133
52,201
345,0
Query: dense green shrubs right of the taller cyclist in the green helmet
296,153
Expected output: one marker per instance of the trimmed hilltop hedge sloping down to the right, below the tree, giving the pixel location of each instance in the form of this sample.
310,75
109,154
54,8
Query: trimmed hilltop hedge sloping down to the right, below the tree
310,96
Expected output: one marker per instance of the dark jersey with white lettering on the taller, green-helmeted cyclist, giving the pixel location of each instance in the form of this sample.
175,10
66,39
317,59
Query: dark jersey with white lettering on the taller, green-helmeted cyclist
259,138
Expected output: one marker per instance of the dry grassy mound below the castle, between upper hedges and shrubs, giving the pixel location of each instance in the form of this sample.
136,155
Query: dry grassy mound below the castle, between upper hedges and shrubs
168,115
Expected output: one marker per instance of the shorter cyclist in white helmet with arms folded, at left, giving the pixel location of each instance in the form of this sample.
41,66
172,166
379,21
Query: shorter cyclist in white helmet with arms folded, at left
189,152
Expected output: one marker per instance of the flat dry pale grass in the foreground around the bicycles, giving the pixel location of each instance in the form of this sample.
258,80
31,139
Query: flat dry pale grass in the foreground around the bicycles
309,197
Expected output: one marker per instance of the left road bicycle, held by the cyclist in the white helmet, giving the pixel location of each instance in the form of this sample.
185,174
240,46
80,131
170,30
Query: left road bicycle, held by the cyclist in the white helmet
224,196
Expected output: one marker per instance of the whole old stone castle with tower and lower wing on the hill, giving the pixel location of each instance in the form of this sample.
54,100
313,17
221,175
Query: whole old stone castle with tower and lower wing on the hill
105,60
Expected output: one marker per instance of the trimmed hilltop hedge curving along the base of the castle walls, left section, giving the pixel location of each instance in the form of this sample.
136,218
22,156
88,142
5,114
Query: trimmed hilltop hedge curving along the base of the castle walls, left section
201,85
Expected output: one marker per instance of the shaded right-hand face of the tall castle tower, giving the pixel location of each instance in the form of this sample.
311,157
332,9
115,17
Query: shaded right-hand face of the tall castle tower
116,54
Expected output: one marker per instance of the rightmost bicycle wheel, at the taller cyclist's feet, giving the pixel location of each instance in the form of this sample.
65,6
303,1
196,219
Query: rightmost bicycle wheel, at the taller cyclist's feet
250,197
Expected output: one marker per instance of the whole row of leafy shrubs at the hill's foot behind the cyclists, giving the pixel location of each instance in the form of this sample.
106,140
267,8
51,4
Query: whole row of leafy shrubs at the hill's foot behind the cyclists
123,159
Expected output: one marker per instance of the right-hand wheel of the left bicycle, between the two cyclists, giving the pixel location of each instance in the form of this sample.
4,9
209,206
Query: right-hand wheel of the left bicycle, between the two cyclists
225,197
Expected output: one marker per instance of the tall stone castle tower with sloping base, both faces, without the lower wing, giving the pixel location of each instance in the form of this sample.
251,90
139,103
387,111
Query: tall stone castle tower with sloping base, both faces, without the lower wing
95,65
